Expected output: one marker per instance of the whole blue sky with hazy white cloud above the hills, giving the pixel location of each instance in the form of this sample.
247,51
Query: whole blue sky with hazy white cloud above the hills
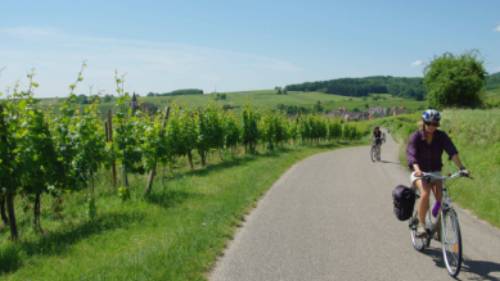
234,45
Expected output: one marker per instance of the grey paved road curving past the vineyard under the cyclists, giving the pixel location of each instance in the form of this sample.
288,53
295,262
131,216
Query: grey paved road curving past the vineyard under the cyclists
330,218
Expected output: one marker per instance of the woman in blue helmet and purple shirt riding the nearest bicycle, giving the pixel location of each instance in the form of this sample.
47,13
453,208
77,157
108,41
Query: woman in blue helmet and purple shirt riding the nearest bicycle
424,151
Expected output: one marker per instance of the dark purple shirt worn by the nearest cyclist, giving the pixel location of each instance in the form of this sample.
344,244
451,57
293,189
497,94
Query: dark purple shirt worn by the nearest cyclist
428,156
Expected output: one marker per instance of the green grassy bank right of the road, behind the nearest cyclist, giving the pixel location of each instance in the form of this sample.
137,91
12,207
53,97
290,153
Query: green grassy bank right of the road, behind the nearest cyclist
476,133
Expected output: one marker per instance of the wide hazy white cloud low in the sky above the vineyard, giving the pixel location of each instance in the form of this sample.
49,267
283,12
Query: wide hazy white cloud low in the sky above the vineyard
150,65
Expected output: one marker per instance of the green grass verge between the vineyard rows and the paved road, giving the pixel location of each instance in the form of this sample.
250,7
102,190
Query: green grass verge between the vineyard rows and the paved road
176,234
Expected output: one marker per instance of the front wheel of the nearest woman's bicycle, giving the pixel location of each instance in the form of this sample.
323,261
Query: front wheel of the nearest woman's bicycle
451,240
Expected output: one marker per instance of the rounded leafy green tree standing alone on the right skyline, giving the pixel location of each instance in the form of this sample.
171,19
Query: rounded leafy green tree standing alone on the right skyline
455,80
